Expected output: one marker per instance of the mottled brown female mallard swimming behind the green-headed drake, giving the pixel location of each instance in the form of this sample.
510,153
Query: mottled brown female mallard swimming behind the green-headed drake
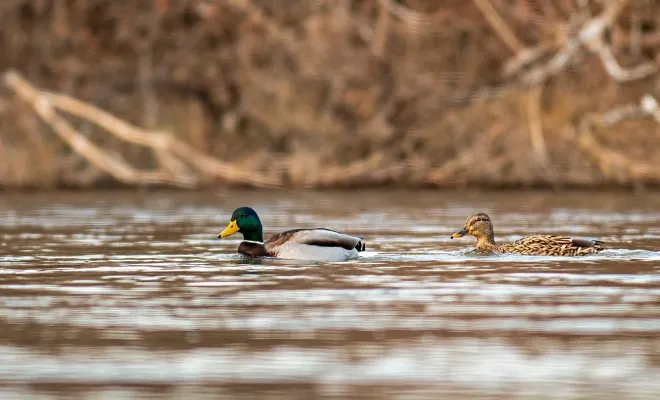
479,226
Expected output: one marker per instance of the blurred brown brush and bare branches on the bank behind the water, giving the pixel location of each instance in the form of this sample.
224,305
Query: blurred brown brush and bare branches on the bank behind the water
324,93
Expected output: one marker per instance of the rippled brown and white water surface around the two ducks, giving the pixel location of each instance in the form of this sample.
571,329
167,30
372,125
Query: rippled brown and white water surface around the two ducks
133,296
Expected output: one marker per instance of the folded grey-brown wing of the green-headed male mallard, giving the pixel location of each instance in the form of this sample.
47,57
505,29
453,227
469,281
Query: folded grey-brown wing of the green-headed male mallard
316,237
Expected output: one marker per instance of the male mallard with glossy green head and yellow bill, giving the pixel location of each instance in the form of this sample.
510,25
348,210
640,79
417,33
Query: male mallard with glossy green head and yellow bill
297,244
